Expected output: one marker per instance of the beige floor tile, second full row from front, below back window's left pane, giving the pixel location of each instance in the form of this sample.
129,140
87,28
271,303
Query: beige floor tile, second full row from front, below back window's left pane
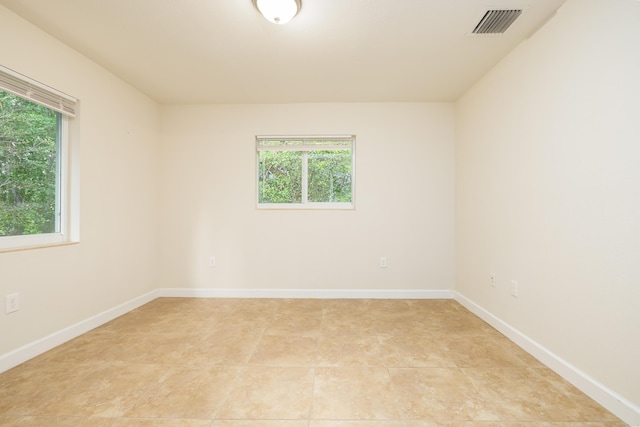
285,350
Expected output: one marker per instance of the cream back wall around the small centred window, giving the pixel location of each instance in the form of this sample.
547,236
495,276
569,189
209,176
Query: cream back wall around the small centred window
404,200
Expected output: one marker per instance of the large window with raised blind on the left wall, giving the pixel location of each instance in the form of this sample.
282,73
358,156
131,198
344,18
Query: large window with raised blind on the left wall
33,165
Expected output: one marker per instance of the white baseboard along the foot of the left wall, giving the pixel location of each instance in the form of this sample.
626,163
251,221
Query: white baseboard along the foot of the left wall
36,348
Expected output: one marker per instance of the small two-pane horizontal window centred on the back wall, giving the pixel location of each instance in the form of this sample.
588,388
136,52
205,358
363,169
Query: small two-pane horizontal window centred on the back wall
306,172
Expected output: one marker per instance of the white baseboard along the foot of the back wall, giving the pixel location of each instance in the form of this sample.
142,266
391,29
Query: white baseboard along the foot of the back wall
306,293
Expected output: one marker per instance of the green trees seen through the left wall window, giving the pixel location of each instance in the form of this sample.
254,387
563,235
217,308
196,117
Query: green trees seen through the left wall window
28,167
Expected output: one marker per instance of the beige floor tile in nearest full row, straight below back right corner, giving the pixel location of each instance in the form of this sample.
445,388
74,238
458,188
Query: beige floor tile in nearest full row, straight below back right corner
434,394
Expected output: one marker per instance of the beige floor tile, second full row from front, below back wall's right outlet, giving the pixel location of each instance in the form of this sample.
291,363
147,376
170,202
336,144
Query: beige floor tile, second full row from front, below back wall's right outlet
415,351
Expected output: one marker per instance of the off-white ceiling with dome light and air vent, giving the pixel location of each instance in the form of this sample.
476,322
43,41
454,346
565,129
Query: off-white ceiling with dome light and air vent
223,51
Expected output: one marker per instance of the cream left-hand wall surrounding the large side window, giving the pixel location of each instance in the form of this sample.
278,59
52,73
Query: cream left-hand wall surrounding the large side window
116,135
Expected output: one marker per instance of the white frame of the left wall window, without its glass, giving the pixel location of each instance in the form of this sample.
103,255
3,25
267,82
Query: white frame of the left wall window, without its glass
66,222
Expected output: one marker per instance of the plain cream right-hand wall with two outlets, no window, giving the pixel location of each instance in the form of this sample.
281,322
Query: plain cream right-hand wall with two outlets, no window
548,190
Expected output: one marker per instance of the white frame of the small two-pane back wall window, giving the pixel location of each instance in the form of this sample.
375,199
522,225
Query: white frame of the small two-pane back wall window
304,204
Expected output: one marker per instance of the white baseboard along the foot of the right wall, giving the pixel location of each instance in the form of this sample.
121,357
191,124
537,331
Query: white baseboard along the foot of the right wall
619,406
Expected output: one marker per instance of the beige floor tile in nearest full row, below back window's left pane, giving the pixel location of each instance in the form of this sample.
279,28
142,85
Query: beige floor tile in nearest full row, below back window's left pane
269,393
